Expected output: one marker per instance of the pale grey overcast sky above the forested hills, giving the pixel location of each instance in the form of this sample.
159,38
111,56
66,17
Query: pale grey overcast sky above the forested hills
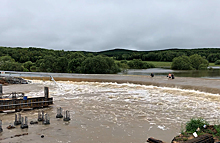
98,25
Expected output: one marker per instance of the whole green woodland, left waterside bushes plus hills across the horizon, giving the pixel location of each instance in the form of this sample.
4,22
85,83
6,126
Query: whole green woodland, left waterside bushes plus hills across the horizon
47,60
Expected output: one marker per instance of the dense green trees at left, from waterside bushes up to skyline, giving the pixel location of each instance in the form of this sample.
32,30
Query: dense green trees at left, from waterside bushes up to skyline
60,61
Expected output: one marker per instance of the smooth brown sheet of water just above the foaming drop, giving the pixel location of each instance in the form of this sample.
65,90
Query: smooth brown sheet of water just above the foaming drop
203,85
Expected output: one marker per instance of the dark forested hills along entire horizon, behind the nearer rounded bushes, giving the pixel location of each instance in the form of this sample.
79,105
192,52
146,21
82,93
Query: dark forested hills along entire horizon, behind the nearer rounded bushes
33,54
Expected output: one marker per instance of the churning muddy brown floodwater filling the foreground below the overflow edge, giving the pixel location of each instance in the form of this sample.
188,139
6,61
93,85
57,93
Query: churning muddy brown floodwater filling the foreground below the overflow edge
109,112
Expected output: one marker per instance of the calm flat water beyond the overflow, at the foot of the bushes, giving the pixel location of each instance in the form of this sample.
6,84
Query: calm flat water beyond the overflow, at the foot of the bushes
213,73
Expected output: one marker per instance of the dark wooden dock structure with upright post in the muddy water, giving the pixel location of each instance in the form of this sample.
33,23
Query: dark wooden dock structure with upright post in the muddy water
18,103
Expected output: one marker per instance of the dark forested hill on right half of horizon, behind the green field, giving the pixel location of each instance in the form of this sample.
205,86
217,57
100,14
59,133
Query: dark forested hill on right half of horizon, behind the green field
211,54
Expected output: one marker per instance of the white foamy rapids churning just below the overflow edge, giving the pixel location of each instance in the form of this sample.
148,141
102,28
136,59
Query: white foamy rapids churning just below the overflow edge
163,104
